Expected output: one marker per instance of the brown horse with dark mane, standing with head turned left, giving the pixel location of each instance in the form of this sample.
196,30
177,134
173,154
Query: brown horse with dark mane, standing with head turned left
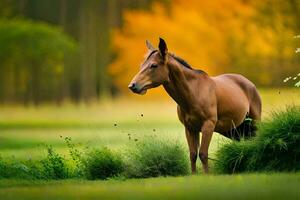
205,104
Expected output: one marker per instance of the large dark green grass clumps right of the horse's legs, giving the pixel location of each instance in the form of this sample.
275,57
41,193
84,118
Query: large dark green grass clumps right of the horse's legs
276,147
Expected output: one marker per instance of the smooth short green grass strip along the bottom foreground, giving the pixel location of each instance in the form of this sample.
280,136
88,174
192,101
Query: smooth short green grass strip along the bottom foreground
249,186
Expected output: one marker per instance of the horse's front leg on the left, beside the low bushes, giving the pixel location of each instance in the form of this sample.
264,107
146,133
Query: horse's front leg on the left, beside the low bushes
193,142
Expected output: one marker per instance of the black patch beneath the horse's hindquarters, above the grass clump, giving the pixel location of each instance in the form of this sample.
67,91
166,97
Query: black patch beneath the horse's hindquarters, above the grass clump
245,130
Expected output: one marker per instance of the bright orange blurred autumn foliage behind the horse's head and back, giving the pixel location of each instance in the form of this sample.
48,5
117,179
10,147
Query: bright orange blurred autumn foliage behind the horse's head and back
198,31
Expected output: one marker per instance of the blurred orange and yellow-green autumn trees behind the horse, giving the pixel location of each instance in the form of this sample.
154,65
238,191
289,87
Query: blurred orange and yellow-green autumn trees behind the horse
253,38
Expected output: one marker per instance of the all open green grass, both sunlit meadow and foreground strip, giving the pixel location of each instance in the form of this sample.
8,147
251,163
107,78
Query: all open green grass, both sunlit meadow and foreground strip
24,131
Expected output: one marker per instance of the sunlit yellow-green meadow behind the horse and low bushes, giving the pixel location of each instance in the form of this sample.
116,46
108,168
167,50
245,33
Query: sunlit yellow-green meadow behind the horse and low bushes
23,131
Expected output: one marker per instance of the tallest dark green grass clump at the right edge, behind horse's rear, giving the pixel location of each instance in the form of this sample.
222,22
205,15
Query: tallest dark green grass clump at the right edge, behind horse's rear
278,145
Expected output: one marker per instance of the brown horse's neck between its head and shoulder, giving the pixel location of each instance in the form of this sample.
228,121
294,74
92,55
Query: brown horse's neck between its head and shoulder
181,85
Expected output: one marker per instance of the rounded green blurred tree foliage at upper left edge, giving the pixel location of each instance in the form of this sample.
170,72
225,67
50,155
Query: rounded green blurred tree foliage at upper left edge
27,41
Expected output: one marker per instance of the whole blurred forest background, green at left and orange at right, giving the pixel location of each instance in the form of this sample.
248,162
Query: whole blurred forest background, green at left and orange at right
86,50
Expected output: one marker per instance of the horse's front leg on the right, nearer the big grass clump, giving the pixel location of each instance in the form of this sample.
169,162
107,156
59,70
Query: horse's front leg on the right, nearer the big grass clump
207,131
